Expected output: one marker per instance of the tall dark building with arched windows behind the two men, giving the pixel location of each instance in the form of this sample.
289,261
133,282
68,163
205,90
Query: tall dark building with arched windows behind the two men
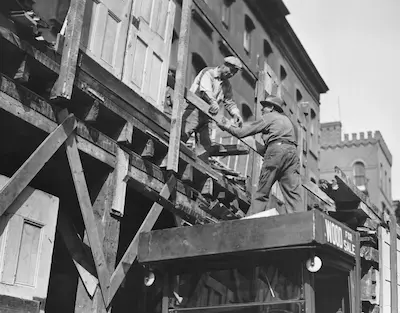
269,43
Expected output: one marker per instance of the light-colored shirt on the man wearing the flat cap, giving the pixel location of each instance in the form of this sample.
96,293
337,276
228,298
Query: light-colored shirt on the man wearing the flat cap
209,81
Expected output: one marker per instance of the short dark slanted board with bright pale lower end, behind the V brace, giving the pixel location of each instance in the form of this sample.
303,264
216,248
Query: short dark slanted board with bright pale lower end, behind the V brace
76,249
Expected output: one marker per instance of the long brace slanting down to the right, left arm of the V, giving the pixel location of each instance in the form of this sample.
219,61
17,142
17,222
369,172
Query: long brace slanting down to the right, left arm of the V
85,204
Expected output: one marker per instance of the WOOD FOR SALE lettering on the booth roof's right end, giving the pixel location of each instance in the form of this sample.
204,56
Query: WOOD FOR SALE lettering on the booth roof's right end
339,237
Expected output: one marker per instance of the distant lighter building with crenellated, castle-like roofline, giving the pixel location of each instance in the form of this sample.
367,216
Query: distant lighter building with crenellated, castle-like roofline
364,157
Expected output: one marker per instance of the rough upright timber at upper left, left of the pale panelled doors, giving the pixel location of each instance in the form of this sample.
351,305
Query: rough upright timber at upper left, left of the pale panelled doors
65,81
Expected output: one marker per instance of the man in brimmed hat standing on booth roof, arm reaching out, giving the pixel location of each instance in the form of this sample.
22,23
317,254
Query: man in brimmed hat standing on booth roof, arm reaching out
281,161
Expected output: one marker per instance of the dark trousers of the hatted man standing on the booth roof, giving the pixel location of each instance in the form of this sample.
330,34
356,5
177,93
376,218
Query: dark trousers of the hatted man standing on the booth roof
282,164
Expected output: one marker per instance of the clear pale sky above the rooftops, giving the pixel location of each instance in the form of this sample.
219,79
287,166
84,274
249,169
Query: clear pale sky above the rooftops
355,45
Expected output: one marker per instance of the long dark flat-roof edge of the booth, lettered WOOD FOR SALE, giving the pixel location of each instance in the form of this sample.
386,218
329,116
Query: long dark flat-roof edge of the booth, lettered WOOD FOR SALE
241,237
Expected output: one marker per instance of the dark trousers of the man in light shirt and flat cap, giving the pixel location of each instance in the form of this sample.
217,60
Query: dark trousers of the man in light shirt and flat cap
195,121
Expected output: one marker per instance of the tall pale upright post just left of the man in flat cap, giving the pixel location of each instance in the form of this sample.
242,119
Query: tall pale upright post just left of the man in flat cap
178,99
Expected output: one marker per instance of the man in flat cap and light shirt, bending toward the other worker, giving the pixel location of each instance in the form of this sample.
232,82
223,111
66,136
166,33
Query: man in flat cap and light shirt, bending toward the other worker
213,86
